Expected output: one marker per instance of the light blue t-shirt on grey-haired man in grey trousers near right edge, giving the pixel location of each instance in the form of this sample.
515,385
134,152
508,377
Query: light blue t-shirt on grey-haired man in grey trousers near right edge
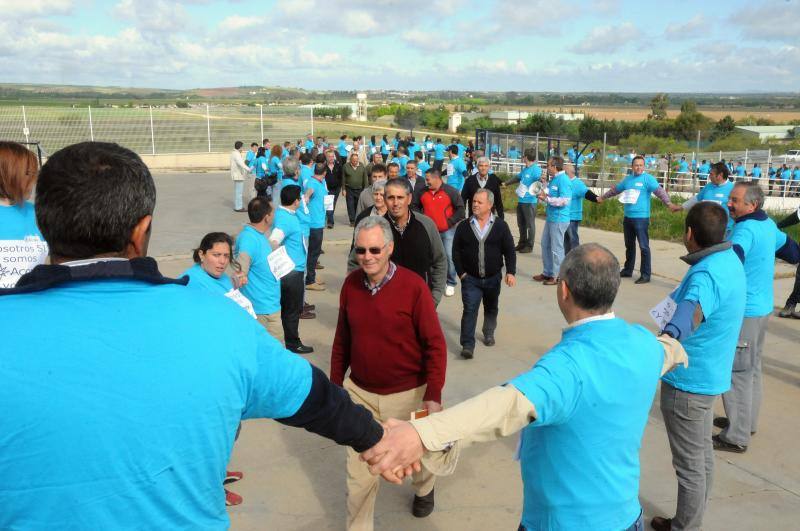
759,240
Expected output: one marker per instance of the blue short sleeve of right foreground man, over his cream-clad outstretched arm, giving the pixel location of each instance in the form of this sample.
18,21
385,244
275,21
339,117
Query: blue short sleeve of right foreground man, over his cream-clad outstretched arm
553,386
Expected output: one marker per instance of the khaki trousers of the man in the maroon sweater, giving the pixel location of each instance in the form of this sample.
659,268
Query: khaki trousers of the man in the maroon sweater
362,487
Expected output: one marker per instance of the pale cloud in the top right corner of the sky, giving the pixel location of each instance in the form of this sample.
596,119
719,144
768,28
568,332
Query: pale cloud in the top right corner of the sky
773,20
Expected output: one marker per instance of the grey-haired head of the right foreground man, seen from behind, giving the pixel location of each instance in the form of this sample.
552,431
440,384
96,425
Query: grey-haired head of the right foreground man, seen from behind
591,273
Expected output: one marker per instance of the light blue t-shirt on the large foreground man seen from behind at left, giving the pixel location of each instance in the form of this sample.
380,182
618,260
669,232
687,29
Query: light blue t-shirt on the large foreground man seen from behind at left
121,422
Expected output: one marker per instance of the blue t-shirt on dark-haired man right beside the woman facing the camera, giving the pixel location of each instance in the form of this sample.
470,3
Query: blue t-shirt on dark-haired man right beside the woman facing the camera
262,288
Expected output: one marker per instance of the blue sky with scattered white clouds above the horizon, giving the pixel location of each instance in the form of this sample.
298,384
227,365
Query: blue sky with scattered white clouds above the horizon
533,45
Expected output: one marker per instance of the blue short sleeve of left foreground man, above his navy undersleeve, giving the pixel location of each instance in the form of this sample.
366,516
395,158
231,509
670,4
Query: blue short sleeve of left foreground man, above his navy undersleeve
281,381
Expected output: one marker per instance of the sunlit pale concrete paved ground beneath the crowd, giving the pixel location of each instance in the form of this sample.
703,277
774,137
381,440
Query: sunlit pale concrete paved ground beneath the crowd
295,480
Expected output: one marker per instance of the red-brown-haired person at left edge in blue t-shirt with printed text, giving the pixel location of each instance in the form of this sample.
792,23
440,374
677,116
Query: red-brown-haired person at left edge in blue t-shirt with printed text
22,246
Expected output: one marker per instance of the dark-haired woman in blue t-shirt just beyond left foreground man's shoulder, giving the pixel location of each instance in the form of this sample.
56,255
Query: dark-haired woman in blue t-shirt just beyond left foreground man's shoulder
211,261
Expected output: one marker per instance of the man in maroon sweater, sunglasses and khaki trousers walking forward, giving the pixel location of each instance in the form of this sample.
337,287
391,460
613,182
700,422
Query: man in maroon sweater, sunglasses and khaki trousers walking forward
390,338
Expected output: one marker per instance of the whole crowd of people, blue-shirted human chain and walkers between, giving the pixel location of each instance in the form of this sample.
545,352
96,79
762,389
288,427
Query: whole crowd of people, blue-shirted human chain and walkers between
138,383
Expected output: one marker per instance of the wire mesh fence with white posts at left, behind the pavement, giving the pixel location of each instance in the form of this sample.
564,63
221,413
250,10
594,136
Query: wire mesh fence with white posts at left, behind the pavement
154,130
